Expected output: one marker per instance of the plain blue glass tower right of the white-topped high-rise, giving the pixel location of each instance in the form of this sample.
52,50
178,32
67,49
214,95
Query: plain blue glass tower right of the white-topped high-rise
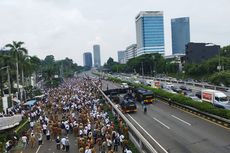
180,34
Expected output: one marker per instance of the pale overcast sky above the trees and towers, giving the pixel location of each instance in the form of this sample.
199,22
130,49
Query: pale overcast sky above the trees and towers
68,28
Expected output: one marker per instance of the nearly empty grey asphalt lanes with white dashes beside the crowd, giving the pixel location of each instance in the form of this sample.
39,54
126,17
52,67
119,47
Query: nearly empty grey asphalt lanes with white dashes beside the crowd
178,131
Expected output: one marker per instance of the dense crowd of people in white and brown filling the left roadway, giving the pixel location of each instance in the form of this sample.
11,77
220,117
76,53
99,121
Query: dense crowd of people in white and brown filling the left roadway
75,109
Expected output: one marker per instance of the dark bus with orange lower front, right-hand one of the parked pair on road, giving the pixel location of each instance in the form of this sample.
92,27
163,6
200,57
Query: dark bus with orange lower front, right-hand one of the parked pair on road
146,96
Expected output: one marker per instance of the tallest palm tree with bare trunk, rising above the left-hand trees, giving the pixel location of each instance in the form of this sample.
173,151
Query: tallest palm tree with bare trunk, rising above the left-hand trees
17,51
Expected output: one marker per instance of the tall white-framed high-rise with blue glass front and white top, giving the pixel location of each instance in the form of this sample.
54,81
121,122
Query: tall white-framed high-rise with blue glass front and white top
150,32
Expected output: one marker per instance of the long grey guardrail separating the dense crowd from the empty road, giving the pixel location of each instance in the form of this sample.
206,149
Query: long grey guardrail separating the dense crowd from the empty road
142,144
